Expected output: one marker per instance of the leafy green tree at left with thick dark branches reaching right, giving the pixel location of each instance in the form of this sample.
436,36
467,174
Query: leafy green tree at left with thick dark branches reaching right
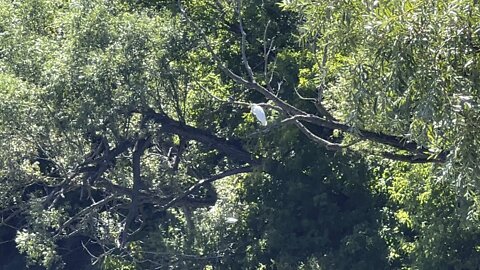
94,127
